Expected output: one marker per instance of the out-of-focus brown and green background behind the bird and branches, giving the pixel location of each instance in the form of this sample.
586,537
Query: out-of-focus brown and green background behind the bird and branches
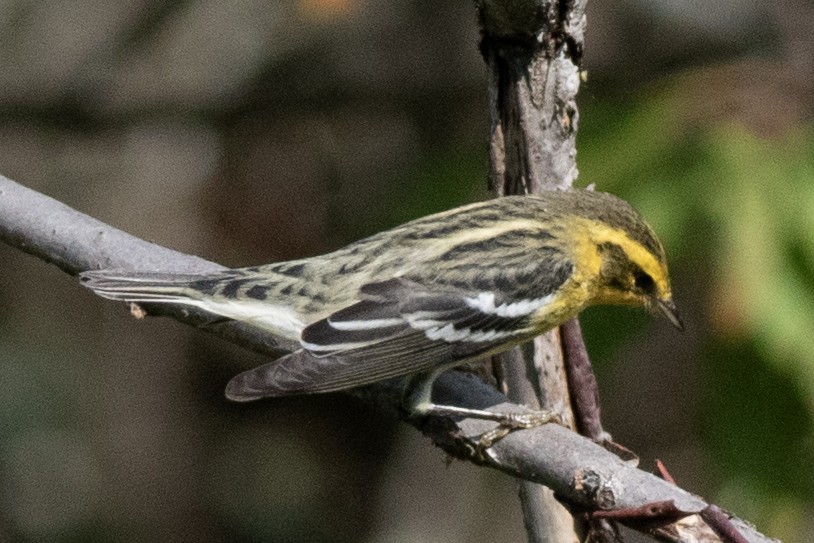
254,131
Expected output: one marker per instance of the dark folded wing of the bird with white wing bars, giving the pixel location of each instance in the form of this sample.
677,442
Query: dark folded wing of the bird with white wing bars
398,328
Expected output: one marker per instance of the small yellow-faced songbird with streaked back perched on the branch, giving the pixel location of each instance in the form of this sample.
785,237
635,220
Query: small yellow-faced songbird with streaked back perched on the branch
431,294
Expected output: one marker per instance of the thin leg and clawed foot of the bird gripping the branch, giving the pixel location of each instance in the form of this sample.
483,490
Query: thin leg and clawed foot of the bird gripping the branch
417,400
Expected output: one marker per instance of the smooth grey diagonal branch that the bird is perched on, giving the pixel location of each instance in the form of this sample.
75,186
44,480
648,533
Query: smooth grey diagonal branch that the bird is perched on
581,473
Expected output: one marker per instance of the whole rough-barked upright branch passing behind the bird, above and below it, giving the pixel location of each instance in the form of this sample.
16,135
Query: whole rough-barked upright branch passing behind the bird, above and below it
533,50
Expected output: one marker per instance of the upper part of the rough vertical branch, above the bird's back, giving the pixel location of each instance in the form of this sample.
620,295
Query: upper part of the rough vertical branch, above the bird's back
533,51
